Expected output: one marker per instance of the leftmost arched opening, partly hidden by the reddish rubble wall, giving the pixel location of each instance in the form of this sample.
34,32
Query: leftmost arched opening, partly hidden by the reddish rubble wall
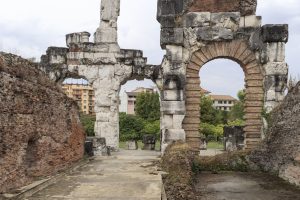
83,93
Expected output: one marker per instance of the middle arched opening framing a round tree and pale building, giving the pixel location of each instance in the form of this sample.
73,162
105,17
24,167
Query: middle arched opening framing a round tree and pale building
139,115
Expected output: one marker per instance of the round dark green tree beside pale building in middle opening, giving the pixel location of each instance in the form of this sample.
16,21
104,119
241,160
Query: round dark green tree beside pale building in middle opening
148,106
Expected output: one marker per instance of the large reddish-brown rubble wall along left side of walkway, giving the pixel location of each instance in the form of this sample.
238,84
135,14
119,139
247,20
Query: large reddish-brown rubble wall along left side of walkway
40,131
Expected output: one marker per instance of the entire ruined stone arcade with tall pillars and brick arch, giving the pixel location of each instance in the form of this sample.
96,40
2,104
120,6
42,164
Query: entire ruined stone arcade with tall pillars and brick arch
193,32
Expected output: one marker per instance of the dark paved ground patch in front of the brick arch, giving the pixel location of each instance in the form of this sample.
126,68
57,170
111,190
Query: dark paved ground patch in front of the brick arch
244,186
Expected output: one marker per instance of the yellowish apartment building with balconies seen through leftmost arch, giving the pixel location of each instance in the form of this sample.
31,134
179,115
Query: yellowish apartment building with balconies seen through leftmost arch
83,95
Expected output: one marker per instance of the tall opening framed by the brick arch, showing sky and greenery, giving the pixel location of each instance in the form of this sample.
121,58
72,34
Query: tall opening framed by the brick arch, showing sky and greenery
222,106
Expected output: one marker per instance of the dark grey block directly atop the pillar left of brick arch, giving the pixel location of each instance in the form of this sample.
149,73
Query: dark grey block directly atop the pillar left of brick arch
171,36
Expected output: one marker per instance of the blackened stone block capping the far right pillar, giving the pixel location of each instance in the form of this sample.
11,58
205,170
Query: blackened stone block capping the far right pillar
275,33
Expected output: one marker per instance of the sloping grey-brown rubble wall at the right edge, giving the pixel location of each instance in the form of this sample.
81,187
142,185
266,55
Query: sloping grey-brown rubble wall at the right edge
280,152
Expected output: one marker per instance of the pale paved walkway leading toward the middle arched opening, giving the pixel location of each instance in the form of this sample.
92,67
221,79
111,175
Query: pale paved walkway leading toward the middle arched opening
128,175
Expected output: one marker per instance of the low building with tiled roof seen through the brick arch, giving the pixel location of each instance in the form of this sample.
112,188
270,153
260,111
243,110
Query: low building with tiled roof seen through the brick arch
223,102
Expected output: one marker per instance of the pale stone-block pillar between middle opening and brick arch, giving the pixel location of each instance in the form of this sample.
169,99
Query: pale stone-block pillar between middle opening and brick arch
173,103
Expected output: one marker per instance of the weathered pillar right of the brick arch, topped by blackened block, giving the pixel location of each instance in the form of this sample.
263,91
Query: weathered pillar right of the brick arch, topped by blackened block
276,69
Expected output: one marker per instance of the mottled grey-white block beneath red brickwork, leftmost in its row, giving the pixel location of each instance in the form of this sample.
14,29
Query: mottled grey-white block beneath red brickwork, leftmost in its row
197,19
